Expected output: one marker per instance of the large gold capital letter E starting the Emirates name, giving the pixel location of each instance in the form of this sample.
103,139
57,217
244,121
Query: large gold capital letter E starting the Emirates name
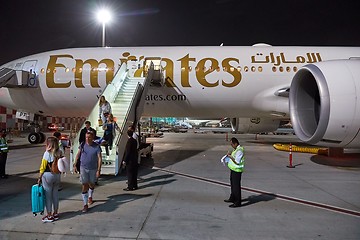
50,73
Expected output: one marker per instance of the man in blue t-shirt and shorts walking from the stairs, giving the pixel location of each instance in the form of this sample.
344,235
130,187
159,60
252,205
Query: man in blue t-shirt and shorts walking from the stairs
90,168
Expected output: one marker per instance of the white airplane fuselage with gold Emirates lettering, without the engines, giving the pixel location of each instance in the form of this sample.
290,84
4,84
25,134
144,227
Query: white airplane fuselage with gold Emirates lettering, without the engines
201,81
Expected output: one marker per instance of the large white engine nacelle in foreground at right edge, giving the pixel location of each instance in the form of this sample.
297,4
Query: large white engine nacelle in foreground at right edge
325,103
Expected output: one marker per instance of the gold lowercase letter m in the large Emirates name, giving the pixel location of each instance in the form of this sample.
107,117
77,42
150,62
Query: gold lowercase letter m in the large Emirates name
94,64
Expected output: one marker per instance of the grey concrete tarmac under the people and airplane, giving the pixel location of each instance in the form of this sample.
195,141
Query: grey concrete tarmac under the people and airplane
181,195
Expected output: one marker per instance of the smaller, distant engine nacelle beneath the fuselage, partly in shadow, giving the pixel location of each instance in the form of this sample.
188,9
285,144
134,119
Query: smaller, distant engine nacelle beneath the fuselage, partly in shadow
253,125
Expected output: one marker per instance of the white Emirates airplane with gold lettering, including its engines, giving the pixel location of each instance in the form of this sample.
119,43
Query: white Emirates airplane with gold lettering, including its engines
317,88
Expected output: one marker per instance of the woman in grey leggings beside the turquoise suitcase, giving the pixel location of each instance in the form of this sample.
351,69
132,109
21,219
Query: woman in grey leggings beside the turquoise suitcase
50,180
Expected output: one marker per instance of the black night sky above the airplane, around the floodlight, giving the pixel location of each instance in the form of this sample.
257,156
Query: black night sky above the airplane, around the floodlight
33,26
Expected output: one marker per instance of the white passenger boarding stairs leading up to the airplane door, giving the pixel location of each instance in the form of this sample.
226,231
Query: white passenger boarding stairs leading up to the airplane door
126,95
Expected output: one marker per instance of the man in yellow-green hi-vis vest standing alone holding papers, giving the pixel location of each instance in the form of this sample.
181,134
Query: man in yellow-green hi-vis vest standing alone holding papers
236,165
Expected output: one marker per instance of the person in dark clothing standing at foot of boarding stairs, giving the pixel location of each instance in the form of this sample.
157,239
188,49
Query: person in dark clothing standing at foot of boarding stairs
131,162
